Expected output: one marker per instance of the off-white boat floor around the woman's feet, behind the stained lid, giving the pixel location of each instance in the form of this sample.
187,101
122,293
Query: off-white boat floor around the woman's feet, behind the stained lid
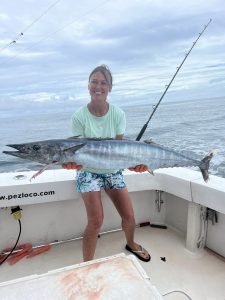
201,275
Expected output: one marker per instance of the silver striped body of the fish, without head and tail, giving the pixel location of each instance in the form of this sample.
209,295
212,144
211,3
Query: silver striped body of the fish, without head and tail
121,154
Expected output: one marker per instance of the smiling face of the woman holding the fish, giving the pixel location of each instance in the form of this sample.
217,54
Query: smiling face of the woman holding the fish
98,86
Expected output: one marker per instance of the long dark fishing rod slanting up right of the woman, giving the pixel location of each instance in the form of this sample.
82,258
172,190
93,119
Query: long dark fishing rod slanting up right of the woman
167,86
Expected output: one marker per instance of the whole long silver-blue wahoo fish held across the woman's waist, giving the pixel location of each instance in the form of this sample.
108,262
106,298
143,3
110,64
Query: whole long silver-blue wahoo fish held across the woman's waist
106,154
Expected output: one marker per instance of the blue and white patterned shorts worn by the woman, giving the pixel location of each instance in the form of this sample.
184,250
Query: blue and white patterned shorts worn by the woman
93,182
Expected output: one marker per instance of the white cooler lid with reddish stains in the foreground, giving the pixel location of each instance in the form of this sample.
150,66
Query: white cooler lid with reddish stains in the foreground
118,277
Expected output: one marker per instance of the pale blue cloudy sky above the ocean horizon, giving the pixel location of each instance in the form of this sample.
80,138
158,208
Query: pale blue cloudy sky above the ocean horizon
48,48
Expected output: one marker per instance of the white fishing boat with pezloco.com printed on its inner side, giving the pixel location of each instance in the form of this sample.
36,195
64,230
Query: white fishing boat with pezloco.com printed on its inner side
180,220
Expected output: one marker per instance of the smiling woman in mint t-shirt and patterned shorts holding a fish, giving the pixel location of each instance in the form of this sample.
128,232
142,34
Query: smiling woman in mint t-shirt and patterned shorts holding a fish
101,119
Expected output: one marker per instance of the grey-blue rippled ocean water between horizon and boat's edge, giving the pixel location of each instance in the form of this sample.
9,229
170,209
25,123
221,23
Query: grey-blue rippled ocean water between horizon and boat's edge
193,126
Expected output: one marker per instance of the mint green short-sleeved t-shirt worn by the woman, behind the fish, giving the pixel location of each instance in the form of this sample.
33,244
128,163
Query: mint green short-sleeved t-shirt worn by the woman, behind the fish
85,124
